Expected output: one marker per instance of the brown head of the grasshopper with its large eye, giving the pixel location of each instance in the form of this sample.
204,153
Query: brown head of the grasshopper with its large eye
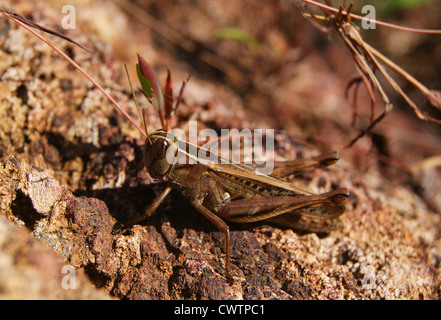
160,153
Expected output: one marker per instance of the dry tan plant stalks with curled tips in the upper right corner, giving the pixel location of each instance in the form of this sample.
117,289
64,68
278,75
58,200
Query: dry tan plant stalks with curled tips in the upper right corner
367,61
